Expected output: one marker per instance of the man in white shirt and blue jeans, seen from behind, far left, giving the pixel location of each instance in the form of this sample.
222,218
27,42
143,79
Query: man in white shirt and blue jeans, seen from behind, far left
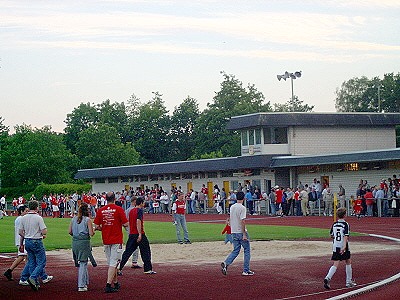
33,230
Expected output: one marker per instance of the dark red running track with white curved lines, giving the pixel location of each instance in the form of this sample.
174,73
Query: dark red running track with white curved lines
286,279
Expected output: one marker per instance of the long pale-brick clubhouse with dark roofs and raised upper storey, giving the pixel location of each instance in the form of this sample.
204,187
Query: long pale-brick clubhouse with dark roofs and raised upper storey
278,149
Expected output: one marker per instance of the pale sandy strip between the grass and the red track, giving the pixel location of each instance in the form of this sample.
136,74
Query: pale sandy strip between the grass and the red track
212,252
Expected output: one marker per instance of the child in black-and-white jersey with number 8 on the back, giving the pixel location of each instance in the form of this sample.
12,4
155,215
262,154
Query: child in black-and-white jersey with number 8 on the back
340,235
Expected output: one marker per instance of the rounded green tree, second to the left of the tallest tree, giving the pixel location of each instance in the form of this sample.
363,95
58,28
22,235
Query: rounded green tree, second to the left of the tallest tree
151,130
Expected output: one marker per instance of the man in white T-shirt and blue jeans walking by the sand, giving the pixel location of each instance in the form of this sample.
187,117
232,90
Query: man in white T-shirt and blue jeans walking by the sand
240,236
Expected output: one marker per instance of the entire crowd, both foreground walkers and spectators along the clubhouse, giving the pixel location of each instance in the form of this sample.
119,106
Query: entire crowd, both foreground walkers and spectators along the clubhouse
114,211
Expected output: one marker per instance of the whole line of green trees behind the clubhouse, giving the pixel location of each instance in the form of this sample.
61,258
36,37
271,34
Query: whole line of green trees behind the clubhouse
135,132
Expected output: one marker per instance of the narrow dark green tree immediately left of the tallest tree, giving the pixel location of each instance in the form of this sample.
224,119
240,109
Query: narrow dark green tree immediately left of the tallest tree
183,120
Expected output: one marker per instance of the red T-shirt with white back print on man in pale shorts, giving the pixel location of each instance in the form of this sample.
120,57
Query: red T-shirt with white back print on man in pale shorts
111,218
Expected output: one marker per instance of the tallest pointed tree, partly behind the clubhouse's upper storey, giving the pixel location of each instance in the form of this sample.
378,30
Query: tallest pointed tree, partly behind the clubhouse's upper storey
233,99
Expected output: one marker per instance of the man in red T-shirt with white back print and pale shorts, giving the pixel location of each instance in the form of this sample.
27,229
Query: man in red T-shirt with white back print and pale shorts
109,220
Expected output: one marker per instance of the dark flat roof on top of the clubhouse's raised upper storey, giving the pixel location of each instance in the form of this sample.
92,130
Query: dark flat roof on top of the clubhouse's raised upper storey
264,119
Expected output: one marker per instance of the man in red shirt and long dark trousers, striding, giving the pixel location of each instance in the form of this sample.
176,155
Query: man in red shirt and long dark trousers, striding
137,238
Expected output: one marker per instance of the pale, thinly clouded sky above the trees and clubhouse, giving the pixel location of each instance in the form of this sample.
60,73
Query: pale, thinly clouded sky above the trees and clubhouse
55,55
